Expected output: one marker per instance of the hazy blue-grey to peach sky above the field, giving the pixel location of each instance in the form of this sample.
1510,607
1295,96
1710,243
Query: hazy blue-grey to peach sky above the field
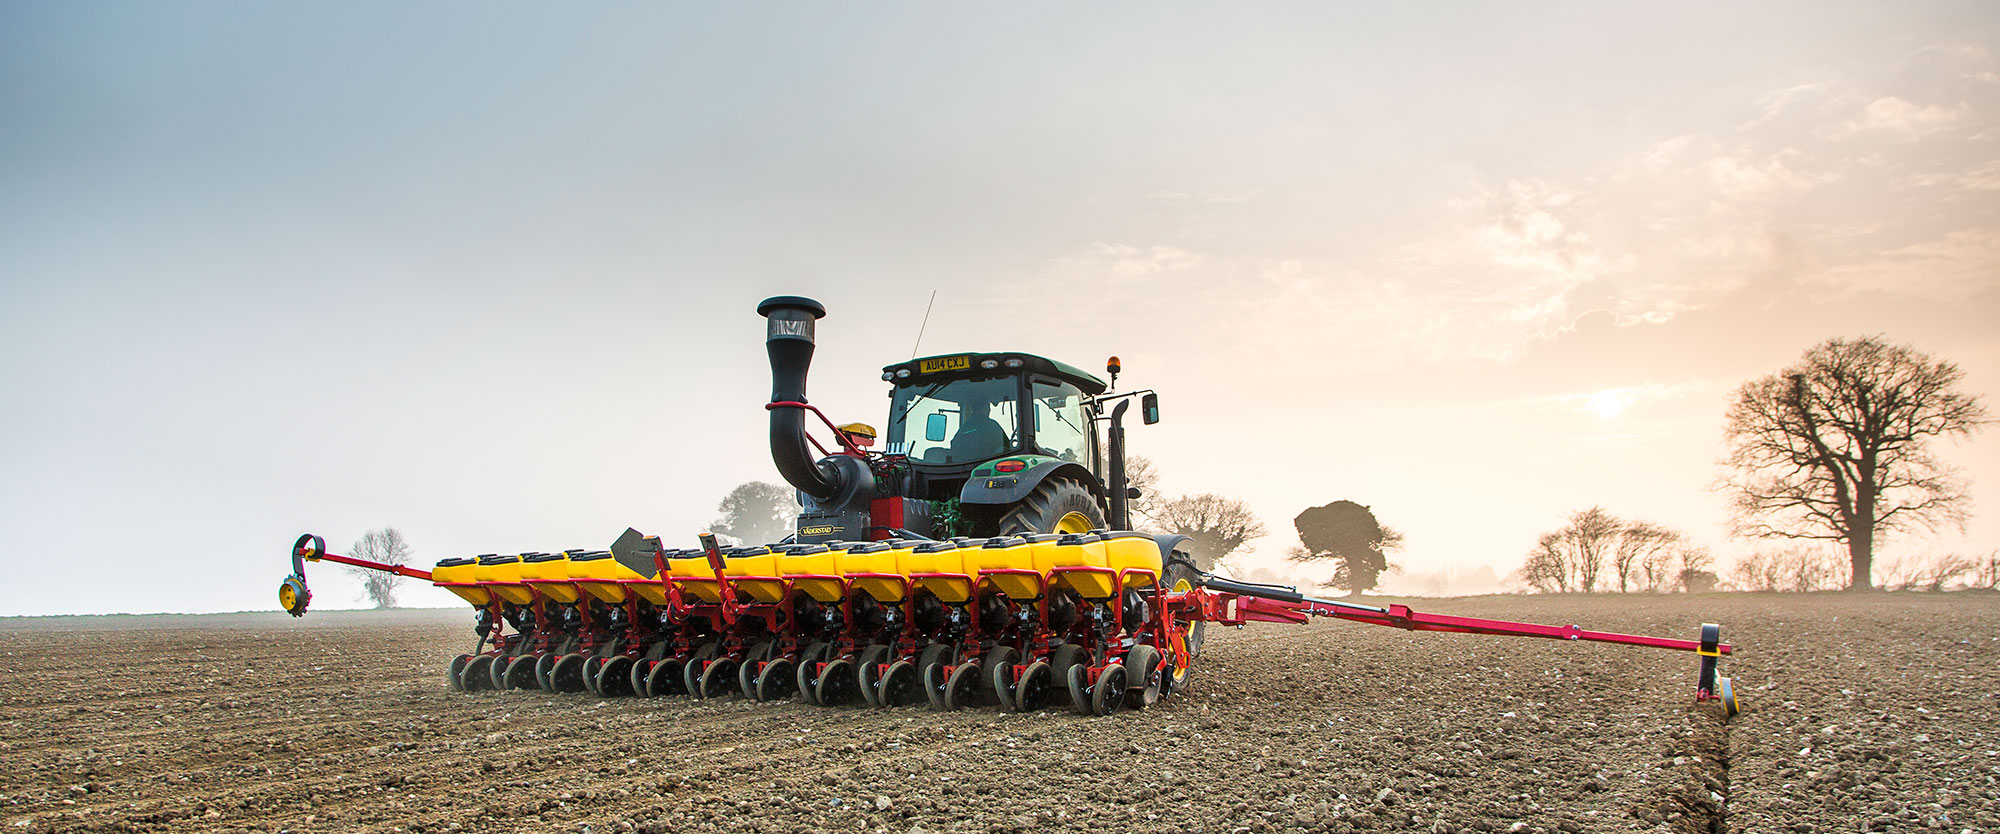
487,273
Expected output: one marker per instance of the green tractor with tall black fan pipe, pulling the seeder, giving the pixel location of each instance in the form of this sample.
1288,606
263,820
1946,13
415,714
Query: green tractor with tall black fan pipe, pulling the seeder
977,445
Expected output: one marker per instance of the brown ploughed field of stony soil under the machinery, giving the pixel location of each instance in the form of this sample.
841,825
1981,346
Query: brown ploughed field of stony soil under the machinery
1861,713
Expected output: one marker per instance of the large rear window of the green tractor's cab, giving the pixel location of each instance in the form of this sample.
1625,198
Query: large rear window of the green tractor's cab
955,421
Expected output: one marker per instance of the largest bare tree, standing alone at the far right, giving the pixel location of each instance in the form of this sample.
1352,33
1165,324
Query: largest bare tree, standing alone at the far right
1837,447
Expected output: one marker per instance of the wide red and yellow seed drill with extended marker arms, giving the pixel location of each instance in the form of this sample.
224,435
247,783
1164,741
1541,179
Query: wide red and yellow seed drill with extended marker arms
1105,619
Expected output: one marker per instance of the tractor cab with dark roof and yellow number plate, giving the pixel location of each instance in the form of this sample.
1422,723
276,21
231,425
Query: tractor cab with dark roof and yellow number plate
987,415
